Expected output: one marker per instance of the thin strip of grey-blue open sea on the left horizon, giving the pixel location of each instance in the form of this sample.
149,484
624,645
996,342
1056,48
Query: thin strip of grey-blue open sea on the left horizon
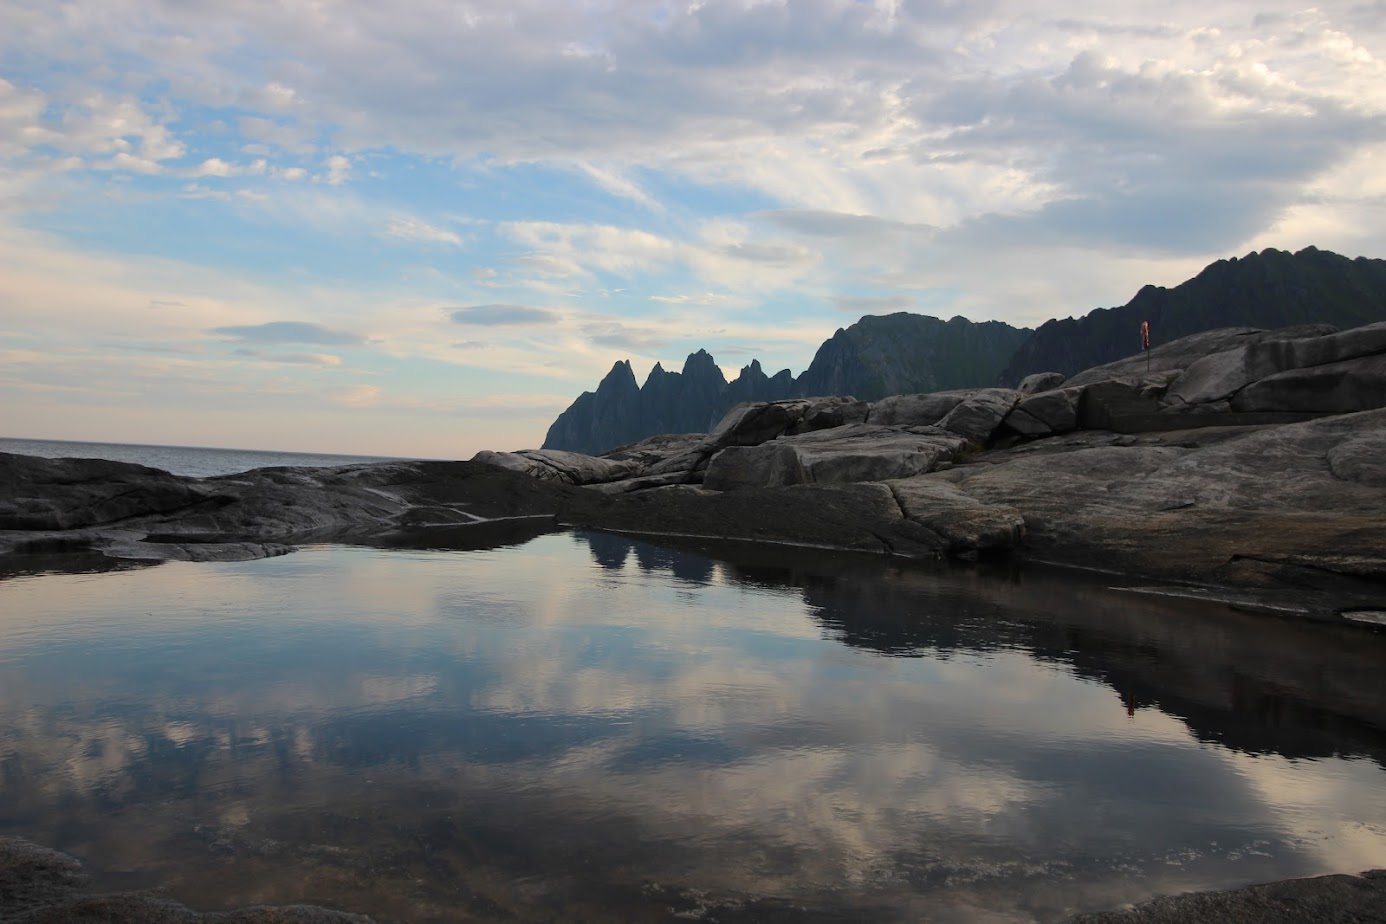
182,461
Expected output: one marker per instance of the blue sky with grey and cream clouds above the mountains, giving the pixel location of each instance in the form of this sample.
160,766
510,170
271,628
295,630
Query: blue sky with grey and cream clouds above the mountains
423,228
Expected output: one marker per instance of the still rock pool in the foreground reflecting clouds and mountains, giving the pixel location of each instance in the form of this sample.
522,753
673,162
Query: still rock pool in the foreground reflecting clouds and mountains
587,728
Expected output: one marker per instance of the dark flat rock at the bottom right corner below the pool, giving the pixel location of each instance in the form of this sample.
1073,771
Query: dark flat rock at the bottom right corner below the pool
1323,900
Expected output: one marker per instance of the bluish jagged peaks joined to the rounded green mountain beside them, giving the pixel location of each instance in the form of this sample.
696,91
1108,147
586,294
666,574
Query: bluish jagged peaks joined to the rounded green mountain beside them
874,358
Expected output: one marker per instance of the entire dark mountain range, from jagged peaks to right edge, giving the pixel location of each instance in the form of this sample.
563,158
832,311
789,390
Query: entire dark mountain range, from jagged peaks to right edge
906,354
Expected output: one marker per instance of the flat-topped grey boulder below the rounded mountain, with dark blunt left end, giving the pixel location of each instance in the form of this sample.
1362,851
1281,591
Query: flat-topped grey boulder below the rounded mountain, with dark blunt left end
843,455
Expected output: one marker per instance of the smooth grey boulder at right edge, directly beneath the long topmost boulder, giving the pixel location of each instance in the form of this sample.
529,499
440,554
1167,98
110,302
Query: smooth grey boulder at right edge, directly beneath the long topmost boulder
1333,389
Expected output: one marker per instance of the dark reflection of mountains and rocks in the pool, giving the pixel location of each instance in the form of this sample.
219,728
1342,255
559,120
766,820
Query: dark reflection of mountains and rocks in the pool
1255,684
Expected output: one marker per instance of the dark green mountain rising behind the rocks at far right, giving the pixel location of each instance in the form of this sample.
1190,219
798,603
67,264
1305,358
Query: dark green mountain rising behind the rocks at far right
1272,289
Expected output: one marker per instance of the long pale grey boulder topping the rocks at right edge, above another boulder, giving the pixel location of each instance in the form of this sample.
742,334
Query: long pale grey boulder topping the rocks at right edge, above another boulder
1226,373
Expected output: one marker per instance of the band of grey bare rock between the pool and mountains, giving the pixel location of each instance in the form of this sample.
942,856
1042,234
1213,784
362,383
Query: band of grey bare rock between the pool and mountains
1240,465
